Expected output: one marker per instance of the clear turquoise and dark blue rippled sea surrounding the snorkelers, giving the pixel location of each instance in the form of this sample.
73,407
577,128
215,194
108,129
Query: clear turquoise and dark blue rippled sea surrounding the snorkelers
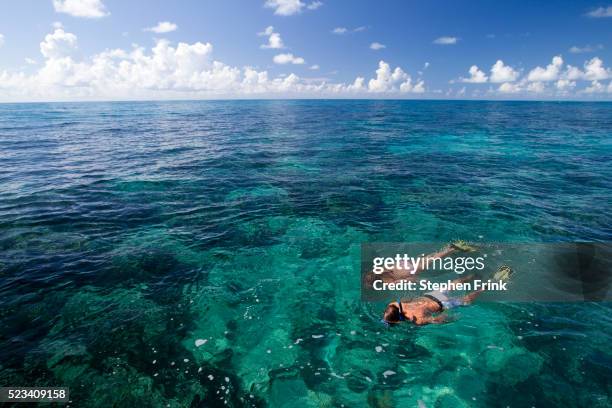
206,254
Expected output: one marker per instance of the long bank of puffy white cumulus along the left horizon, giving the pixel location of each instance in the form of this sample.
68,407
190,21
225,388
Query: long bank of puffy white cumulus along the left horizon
170,71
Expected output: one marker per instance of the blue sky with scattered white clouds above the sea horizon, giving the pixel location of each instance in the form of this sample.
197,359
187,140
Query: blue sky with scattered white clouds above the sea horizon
109,49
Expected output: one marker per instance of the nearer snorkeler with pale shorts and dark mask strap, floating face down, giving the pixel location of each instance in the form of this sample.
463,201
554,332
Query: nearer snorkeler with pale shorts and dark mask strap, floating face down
427,309
